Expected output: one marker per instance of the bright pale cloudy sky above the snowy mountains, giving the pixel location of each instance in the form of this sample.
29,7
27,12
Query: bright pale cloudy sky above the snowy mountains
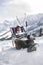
9,9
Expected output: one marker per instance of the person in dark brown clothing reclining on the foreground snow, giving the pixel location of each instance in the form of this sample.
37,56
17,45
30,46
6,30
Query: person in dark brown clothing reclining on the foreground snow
24,43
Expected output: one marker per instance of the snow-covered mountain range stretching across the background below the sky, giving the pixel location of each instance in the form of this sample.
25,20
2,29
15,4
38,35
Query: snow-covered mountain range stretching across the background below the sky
34,22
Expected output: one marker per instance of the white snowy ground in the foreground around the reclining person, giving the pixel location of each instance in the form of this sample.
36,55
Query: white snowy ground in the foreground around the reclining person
10,56
